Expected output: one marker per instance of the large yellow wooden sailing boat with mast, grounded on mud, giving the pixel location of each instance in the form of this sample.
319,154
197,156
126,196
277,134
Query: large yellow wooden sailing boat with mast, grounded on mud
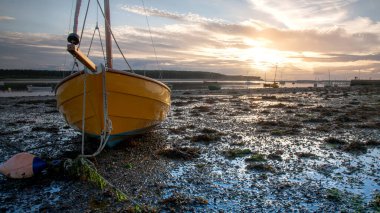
132,103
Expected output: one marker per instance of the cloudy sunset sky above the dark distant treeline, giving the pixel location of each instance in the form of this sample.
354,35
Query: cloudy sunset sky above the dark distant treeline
306,39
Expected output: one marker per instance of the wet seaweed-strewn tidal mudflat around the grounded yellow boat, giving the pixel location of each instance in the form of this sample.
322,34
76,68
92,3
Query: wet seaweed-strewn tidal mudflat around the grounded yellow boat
305,149
